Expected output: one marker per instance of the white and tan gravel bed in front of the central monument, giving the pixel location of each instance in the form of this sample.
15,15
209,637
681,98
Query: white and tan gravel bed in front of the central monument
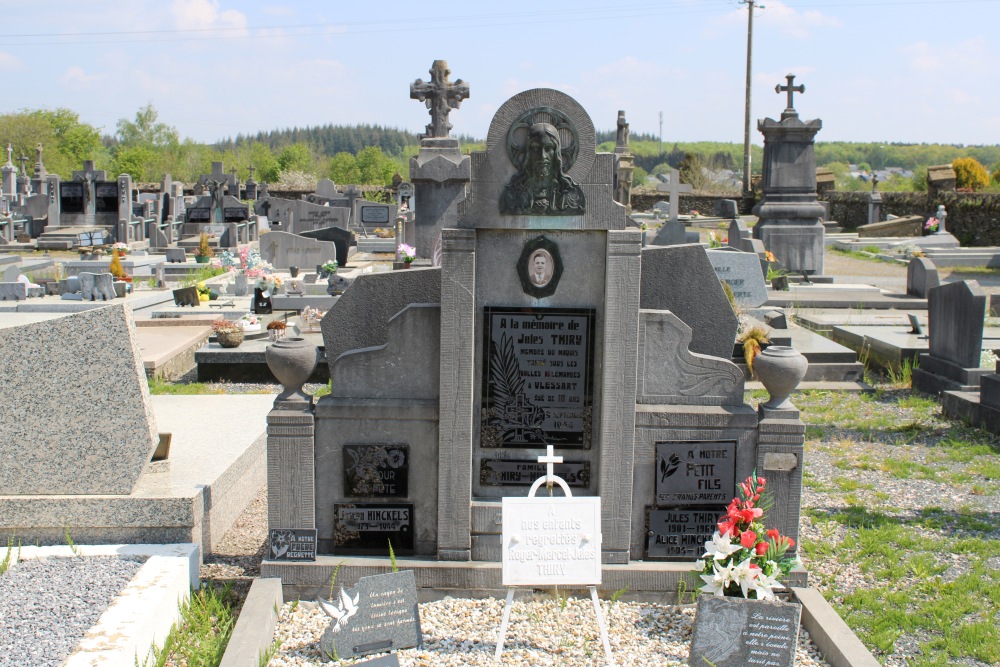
463,632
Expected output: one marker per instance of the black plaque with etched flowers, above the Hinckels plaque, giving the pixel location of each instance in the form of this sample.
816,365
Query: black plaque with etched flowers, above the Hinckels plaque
376,471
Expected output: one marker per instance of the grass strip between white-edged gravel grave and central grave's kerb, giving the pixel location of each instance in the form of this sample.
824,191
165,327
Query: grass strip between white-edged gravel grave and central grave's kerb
201,636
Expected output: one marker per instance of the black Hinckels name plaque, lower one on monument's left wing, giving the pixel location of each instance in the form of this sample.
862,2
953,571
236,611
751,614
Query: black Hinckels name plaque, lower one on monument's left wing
366,529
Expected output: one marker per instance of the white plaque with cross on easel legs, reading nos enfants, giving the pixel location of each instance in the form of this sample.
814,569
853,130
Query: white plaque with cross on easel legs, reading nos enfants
552,541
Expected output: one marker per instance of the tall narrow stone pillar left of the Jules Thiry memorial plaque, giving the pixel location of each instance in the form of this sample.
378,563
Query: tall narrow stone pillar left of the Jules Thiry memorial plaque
458,339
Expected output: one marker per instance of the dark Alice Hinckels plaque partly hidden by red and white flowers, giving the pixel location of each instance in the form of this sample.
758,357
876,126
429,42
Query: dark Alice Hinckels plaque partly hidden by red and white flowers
681,533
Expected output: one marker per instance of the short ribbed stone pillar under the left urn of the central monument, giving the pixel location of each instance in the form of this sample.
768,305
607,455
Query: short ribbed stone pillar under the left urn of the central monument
291,468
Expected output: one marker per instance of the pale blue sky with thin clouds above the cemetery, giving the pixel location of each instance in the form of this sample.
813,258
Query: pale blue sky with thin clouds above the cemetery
874,70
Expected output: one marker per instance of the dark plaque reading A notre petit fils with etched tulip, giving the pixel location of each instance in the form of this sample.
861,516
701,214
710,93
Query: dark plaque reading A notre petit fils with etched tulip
695,473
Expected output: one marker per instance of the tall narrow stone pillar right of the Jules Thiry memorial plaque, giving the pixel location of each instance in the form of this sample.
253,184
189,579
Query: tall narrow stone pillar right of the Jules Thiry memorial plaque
617,412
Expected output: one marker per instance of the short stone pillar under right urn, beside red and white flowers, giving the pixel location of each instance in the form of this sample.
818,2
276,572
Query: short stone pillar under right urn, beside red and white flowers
780,451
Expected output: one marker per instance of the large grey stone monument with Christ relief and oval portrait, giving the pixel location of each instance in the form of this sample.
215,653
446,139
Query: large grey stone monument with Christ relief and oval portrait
546,324
